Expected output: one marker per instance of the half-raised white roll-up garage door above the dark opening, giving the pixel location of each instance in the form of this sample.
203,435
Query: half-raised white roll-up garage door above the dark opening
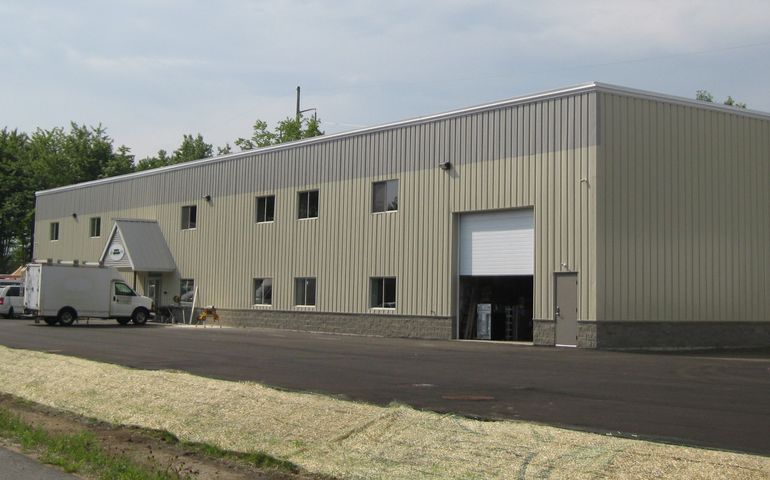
498,243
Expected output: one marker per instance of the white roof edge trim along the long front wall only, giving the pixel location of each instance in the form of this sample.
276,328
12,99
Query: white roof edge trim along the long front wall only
586,87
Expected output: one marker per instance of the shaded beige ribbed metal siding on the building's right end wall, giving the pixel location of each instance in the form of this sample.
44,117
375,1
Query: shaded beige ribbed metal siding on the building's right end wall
684,196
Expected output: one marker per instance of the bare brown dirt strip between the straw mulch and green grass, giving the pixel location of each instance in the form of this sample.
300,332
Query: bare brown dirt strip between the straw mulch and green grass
142,446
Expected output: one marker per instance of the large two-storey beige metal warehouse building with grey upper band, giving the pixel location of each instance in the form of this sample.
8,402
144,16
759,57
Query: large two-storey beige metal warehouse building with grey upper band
595,216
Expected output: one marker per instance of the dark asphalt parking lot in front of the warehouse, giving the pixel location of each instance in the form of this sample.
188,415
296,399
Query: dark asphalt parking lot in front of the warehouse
716,399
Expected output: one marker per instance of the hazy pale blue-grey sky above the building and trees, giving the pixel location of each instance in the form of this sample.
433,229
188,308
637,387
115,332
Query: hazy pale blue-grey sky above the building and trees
153,70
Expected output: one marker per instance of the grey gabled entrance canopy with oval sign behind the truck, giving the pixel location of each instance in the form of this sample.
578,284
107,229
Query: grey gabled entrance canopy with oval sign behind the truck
137,246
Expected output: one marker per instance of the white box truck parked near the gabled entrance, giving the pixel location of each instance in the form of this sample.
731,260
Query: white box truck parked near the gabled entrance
62,293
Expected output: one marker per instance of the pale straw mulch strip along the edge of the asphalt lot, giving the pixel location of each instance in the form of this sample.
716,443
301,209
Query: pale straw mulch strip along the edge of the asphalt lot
347,439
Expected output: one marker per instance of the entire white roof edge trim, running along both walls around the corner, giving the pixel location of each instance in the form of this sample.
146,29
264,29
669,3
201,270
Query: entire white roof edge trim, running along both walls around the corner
581,88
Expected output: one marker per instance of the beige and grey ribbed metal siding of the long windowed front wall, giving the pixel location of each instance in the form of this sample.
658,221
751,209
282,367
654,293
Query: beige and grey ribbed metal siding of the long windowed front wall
532,154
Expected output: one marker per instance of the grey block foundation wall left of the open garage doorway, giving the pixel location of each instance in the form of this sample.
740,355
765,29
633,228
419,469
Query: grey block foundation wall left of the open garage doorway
358,324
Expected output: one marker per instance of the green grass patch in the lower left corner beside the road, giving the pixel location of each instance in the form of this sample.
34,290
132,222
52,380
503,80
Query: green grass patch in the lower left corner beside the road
78,453
